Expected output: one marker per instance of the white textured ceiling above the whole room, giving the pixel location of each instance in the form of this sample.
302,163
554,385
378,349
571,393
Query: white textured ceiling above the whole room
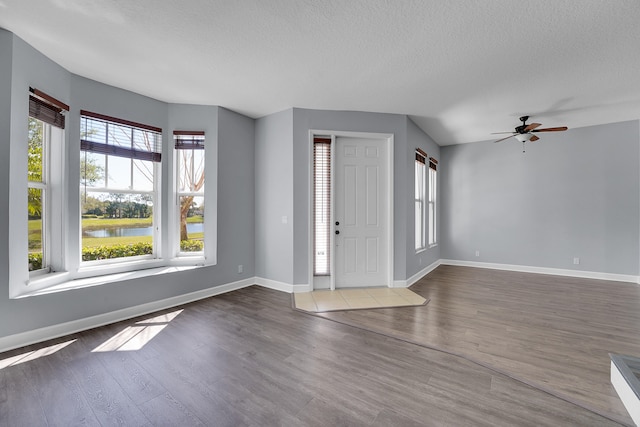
460,69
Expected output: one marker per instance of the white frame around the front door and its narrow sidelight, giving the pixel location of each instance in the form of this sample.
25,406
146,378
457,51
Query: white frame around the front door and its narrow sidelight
388,138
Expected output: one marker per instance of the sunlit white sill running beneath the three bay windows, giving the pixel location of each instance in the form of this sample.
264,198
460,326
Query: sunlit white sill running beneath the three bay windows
101,280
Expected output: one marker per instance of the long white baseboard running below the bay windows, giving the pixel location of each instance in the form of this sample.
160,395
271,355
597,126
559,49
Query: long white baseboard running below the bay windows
54,331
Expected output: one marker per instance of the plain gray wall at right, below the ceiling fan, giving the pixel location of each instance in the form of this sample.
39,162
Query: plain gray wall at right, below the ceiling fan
573,194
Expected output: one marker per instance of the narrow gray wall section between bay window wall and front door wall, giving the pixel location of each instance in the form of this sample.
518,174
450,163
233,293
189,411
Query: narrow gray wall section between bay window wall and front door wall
274,197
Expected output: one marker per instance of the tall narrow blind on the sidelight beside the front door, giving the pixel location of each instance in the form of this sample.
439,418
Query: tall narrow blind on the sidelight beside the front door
322,205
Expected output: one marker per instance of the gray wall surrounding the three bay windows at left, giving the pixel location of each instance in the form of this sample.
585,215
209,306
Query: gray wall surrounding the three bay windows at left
235,139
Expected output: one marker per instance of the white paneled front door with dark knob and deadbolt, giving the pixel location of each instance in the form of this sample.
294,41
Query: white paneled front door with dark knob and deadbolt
361,212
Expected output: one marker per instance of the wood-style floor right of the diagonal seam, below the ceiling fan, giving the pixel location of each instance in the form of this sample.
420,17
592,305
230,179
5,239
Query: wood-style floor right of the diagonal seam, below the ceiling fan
552,332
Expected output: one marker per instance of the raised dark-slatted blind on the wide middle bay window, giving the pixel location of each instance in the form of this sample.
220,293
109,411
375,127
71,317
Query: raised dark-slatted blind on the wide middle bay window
117,137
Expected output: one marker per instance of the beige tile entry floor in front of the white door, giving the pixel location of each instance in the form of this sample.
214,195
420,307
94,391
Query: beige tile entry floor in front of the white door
358,298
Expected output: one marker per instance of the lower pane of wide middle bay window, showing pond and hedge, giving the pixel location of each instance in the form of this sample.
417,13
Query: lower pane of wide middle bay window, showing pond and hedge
116,225
